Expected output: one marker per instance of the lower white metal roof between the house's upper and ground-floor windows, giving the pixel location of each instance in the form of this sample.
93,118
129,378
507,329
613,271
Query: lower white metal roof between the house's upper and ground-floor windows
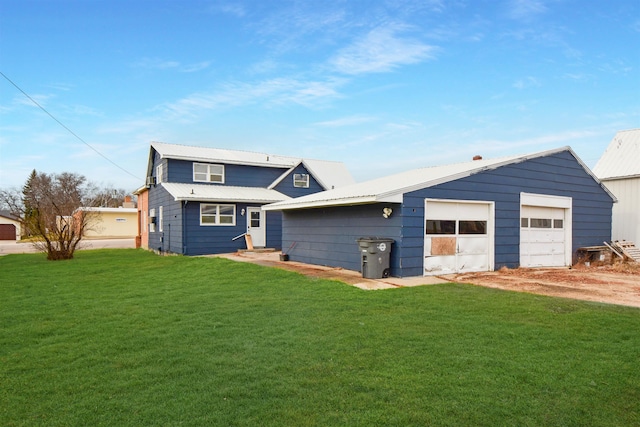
222,193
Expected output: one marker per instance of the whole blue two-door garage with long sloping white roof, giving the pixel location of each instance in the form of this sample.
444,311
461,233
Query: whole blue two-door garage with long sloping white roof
531,210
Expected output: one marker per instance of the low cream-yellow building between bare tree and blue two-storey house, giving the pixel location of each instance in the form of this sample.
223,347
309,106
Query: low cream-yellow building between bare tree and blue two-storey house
112,223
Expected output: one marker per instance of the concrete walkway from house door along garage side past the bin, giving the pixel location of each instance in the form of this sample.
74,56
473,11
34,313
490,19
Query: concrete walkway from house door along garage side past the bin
354,278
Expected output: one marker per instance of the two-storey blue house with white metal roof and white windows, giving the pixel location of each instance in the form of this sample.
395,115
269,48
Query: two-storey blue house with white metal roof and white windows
203,200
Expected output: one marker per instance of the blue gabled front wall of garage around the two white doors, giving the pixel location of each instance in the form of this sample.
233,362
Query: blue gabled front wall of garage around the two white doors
559,174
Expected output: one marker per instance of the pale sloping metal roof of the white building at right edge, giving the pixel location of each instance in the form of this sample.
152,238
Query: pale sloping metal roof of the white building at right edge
621,159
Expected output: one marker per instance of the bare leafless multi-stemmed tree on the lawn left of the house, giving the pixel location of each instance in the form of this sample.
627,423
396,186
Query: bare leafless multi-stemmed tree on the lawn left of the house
48,207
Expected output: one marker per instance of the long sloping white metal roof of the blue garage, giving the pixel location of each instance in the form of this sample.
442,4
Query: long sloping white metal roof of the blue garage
391,188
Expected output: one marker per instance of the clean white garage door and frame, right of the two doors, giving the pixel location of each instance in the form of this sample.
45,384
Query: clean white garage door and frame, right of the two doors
545,233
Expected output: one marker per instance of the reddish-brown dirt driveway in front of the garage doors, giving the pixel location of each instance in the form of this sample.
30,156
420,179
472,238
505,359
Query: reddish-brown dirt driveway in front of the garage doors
617,284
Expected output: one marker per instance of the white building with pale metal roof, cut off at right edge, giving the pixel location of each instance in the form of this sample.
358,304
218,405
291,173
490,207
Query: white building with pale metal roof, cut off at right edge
619,170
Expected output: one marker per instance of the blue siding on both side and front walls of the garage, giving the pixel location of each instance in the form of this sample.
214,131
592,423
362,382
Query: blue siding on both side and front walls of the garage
326,236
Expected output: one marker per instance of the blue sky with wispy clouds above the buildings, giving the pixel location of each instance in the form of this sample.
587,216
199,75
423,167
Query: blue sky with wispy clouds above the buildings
383,86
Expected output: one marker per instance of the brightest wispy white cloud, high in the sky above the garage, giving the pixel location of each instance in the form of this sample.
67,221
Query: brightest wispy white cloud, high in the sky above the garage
381,50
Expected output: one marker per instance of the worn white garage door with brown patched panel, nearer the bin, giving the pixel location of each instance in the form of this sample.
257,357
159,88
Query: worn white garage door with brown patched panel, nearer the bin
458,236
